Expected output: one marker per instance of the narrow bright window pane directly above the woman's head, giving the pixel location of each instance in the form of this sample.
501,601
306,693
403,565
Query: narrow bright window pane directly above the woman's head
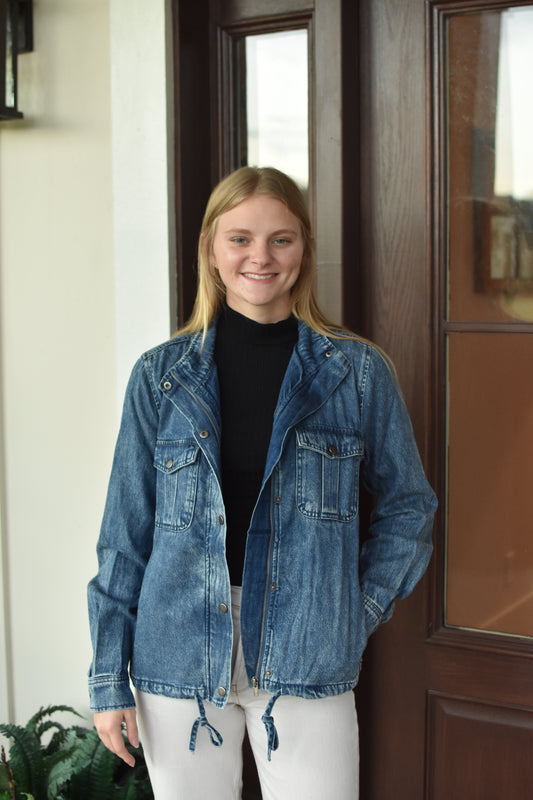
272,102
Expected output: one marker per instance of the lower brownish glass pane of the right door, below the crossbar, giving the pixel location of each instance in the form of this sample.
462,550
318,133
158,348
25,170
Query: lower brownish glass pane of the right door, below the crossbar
490,493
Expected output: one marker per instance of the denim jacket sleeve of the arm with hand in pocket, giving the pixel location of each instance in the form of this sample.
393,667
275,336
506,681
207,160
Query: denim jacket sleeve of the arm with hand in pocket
398,549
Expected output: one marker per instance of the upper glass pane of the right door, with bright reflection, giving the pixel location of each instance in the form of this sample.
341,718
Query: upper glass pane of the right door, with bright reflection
490,123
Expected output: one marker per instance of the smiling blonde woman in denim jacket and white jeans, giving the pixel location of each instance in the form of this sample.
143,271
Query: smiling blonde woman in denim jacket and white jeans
230,565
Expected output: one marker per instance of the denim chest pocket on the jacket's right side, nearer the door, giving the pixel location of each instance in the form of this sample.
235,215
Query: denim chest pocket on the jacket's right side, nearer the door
328,463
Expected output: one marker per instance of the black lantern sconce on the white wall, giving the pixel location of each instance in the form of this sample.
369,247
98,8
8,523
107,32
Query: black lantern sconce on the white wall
16,36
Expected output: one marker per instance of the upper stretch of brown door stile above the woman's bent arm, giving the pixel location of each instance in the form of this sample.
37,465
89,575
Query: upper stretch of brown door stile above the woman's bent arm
393,187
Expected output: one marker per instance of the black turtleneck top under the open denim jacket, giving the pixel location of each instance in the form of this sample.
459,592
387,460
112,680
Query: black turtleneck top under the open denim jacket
251,360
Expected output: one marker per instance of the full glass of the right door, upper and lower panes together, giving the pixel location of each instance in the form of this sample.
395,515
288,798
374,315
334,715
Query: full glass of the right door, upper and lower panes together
489,321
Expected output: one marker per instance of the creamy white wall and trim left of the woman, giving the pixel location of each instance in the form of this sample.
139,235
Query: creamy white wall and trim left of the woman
84,265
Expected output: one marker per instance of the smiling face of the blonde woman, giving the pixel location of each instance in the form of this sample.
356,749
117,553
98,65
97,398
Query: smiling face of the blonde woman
258,249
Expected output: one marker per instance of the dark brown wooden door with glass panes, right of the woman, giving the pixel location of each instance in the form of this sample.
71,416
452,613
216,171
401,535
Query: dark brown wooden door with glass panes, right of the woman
446,694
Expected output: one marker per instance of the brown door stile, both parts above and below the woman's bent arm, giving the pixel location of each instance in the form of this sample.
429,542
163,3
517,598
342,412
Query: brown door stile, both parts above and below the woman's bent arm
395,239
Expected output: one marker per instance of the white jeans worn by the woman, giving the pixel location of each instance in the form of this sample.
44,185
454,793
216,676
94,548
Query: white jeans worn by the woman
317,758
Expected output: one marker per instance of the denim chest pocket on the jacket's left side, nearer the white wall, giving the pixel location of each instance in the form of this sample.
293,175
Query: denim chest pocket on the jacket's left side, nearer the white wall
176,463
